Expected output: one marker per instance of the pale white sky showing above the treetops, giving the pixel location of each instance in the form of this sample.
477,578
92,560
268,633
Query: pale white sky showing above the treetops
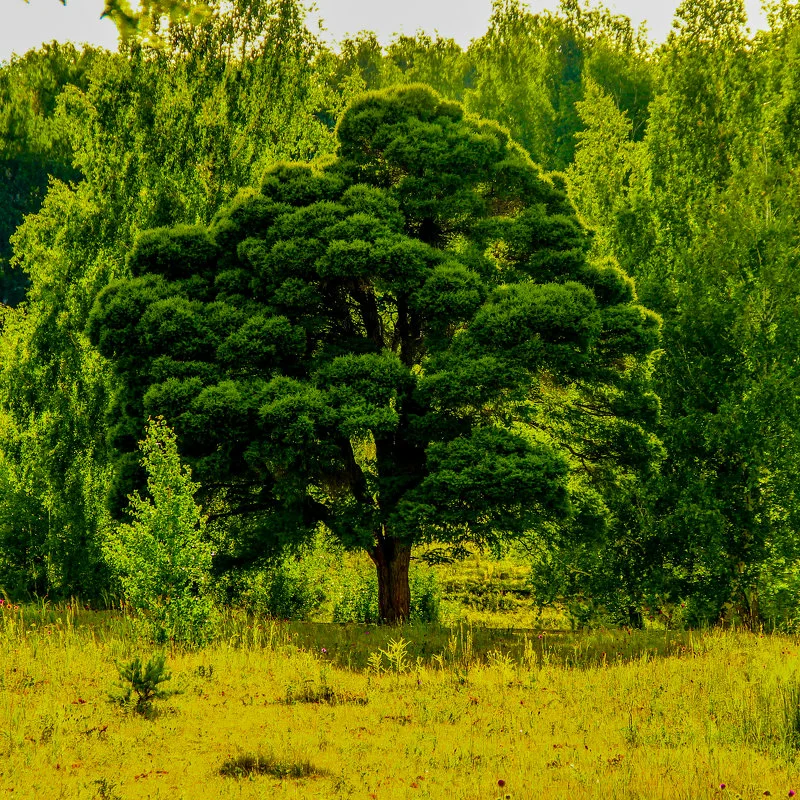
26,25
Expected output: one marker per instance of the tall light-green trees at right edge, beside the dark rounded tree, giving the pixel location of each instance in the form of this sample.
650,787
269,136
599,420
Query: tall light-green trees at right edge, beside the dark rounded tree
703,212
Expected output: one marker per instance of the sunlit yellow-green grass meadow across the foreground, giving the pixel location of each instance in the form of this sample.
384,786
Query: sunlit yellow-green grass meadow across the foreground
339,711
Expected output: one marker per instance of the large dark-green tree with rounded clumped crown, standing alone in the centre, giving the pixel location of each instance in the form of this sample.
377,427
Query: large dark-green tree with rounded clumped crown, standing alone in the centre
406,344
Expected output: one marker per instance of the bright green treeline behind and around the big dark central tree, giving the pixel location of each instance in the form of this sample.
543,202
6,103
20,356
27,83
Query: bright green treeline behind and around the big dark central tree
681,159
